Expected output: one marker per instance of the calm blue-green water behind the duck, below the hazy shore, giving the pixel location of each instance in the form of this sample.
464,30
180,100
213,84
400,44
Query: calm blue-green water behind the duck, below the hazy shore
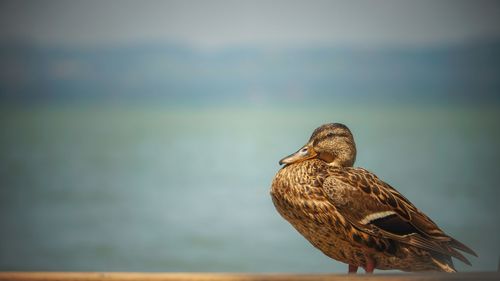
159,188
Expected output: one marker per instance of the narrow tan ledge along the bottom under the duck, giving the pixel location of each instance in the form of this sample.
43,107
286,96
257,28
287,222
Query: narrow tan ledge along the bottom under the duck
125,276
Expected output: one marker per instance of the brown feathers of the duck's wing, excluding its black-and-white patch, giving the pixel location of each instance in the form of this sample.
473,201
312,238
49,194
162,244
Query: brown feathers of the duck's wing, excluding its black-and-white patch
355,201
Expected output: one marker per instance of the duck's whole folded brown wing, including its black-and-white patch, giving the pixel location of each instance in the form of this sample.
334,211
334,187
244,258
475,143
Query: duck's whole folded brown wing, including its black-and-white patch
375,208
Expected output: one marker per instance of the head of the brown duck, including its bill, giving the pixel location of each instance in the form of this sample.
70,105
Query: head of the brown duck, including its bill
332,143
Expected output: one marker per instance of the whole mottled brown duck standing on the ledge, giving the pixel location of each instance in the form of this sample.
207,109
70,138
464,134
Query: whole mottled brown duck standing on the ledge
354,217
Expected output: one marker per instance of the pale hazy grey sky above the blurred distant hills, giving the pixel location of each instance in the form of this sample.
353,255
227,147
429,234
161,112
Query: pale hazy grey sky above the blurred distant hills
209,24
